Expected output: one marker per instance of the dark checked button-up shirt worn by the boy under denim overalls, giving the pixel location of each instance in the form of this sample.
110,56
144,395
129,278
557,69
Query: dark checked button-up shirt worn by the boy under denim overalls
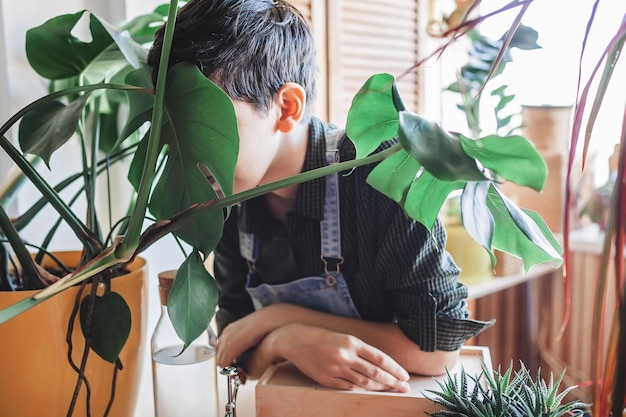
394,268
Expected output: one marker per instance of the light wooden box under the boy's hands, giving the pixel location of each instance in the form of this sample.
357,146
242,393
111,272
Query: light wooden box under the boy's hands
283,391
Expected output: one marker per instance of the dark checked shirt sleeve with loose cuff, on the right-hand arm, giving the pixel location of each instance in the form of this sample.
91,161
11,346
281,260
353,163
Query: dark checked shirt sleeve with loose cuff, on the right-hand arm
431,303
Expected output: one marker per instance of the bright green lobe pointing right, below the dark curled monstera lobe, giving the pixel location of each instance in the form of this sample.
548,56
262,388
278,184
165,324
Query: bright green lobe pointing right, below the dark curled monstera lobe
513,158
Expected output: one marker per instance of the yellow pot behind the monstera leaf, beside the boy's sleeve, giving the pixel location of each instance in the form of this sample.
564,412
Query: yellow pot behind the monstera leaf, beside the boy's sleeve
469,255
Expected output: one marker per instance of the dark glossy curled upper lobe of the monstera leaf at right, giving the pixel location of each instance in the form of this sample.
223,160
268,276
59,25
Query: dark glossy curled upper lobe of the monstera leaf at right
437,150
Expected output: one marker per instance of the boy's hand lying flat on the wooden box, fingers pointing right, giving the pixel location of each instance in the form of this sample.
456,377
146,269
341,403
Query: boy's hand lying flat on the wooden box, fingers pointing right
338,360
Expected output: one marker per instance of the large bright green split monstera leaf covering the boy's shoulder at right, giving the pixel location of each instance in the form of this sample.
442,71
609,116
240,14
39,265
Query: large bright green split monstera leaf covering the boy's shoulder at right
433,163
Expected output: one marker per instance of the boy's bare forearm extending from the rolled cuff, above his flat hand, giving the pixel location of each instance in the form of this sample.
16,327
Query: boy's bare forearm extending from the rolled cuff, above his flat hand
387,337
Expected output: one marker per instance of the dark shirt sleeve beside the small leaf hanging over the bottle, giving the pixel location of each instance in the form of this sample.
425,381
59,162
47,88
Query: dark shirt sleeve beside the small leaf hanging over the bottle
231,271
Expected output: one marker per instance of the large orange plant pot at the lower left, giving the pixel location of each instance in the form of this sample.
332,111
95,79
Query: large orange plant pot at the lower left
36,378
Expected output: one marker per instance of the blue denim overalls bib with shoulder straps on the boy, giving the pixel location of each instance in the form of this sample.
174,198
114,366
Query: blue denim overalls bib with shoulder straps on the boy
328,292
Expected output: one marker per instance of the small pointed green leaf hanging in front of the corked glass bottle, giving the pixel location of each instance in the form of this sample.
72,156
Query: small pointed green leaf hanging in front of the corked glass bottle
192,299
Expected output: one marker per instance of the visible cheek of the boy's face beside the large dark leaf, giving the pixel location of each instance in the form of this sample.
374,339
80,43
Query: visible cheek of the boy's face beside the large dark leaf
258,144
